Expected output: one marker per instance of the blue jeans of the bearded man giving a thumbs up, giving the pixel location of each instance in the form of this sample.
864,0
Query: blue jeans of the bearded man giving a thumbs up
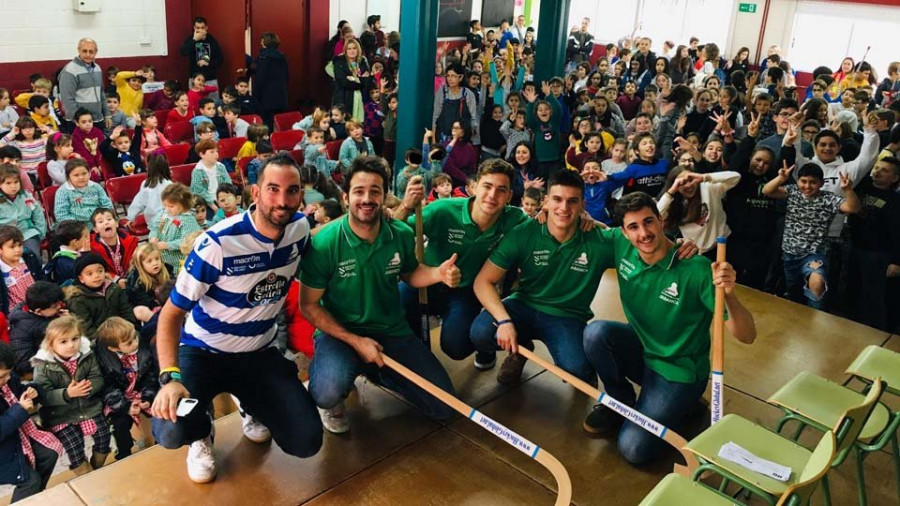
336,365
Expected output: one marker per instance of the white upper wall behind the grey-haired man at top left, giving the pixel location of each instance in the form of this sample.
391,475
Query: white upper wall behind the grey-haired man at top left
48,29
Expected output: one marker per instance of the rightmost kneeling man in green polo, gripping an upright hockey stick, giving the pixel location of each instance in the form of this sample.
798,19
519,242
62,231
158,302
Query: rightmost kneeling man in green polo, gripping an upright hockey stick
665,345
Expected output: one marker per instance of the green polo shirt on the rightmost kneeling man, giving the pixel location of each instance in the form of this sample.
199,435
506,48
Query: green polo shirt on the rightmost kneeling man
670,307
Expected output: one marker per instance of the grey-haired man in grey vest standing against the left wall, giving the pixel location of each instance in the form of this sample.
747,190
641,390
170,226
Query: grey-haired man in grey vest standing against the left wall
81,84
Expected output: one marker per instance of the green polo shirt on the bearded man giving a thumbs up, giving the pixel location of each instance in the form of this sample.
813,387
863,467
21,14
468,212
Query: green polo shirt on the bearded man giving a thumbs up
360,279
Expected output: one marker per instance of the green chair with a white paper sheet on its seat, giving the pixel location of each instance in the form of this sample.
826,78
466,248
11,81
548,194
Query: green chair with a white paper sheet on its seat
771,446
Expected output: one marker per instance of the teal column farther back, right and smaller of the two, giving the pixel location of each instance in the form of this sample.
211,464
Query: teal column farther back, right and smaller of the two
551,53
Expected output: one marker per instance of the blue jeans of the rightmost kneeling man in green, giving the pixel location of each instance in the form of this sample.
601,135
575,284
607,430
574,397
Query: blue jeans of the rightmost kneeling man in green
618,356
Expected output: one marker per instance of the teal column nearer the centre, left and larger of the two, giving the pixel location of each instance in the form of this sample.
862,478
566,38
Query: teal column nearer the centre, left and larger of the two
418,45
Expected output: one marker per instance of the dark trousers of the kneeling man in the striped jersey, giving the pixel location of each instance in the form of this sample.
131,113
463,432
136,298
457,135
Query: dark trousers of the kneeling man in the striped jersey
267,385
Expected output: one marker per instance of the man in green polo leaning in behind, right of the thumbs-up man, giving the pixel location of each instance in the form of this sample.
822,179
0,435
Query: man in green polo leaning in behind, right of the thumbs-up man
471,229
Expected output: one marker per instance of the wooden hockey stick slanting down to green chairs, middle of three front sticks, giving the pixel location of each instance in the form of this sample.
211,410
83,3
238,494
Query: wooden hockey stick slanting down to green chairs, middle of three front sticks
630,414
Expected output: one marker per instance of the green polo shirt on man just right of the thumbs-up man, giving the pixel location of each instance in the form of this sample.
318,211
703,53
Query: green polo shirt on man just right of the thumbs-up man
449,227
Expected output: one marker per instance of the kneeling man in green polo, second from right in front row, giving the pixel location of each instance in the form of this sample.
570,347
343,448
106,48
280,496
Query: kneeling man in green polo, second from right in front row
560,267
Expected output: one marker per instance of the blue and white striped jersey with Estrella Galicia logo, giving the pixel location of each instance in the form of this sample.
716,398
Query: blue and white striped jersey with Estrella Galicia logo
234,283
